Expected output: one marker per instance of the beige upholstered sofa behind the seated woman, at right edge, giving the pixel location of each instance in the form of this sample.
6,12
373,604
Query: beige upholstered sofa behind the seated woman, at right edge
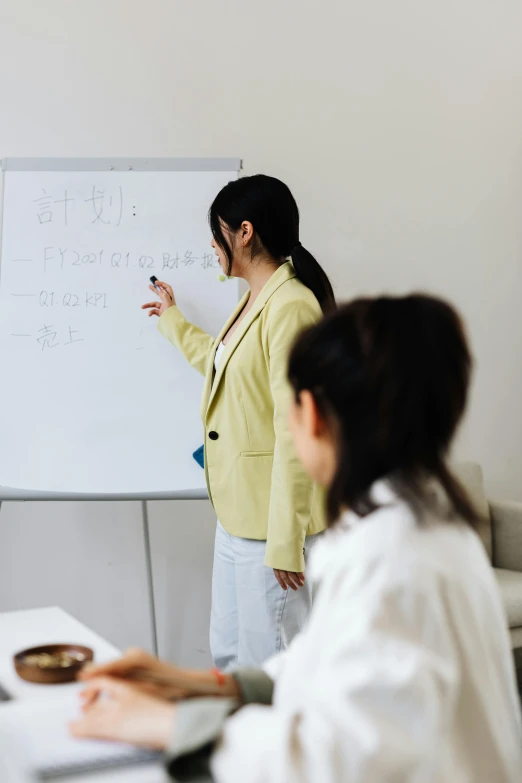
501,534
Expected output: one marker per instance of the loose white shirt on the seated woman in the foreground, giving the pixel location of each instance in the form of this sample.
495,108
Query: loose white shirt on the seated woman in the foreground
403,675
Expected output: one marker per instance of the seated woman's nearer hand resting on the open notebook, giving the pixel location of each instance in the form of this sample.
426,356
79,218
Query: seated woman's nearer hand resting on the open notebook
118,711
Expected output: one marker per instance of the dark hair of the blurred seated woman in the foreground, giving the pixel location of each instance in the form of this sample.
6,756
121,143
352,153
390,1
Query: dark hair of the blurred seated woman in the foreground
391,375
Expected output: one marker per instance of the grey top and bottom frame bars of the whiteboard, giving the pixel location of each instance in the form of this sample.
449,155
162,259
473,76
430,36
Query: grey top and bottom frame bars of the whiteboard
8,494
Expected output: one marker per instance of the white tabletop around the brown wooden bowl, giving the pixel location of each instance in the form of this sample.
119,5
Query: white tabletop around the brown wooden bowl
33,627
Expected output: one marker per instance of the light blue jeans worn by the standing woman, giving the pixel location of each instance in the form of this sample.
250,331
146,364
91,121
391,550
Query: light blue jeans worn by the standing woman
252,617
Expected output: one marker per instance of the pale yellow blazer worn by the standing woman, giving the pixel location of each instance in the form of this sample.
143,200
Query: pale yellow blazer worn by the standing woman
255,482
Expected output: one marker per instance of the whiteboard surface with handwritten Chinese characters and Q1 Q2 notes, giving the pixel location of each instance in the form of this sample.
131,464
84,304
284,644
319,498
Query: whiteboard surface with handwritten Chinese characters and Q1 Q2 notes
93,399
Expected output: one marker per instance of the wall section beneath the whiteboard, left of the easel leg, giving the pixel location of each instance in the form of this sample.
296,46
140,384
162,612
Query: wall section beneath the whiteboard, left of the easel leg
87,558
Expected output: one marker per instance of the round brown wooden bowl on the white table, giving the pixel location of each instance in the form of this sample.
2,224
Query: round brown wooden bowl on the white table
34,672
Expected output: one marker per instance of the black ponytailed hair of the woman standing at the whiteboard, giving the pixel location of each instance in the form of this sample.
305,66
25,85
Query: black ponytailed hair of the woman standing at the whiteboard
268,204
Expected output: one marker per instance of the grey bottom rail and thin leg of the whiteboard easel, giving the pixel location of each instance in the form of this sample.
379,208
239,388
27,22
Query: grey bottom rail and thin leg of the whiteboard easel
21,496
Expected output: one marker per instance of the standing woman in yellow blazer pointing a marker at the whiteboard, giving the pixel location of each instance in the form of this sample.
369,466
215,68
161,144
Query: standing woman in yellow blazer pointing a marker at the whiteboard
268,517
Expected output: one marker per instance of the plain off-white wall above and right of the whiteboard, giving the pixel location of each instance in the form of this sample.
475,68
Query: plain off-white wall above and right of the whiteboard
397,124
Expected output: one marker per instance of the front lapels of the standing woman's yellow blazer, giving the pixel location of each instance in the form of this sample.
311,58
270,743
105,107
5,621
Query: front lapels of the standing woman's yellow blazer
284,273
